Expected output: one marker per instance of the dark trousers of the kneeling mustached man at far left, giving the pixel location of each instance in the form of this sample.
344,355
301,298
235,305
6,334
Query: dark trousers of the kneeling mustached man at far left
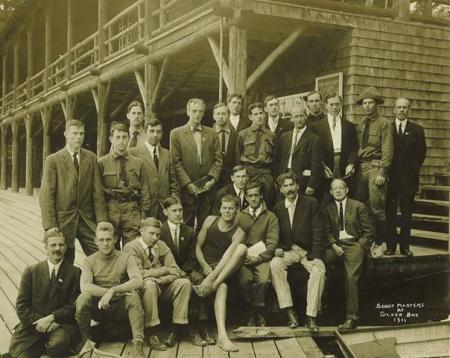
57,343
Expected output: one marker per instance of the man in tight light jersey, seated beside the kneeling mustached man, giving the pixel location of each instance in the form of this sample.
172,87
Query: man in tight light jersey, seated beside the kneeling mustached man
109,281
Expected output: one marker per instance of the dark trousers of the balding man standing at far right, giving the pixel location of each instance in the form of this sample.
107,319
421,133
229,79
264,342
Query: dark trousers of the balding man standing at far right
405,201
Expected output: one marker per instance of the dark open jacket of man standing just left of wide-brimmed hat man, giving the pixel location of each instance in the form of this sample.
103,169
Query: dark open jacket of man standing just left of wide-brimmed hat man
349,149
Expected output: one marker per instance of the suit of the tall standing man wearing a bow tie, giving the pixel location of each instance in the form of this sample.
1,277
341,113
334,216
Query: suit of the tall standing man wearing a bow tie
189,168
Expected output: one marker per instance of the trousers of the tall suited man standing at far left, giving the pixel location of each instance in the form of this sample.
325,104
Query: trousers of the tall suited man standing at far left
84,230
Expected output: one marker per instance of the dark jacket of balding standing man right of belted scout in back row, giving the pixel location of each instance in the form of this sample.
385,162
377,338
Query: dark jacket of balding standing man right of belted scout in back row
307,157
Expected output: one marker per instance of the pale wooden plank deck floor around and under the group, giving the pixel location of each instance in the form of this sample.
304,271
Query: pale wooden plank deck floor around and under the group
21,245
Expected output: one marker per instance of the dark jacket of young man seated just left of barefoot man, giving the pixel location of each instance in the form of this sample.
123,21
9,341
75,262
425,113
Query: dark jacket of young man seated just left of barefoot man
185,257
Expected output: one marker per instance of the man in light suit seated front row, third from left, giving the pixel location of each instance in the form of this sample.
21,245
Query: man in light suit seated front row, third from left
162,278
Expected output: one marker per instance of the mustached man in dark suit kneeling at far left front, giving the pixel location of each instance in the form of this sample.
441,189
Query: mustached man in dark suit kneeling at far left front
45,304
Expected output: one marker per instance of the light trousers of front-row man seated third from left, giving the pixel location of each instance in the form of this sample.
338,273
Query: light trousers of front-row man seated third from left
178,292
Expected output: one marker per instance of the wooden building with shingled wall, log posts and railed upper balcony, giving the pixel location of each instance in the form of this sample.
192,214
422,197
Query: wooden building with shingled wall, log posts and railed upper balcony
89,59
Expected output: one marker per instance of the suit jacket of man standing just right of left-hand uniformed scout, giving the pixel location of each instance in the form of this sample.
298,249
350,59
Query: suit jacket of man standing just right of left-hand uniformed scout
160,183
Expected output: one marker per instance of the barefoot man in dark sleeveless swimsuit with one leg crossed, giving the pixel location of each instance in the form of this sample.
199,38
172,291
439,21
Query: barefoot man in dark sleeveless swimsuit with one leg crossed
220,252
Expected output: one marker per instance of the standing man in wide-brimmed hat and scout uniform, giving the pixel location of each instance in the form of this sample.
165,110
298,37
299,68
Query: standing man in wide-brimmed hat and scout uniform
375,138
